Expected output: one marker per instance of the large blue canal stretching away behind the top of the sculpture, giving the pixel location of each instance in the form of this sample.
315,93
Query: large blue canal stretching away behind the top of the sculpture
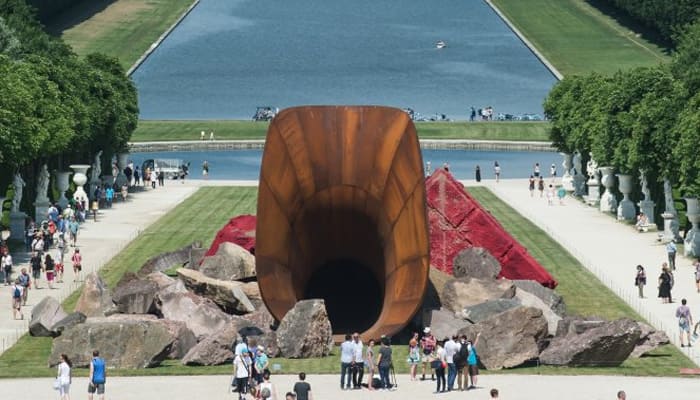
229,56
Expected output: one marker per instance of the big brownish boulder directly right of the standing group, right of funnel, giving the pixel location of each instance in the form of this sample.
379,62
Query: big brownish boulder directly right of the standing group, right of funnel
510,338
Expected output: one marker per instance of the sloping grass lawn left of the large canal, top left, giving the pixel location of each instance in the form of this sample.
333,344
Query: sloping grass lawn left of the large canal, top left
124,29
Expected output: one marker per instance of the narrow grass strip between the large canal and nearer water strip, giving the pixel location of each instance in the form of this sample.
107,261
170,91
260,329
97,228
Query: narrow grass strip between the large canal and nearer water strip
151,130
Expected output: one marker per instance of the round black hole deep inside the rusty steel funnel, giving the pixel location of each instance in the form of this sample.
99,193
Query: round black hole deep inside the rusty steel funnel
352,294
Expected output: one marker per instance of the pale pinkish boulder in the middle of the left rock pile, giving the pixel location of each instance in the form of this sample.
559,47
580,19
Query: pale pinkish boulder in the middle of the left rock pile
201,315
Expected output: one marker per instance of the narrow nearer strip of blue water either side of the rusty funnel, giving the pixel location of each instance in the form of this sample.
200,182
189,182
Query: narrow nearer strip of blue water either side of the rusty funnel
245,164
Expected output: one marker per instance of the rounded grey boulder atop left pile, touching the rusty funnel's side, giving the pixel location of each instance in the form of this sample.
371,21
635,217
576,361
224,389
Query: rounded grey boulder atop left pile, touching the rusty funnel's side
231,262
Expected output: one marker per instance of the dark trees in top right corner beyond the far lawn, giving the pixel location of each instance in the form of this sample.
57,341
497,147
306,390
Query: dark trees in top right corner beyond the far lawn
663,16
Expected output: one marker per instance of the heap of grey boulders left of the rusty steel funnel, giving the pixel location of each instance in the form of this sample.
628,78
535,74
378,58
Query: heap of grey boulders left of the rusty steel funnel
193,317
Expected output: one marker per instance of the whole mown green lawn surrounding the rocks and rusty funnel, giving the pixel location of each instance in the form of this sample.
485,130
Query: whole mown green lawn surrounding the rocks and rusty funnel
584,294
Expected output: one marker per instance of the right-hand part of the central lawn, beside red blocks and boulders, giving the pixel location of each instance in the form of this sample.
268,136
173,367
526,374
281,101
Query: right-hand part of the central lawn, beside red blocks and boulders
583,292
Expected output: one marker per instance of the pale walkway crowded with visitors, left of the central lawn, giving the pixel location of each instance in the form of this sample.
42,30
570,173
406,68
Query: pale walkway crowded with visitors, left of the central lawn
98,242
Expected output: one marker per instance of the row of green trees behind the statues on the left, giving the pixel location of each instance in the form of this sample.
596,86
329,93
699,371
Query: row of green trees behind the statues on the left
56,108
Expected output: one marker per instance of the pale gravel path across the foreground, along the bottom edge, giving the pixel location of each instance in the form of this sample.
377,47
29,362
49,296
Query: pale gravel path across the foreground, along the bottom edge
325,387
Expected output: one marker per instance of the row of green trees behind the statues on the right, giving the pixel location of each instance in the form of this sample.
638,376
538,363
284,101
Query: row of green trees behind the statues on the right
641,119
